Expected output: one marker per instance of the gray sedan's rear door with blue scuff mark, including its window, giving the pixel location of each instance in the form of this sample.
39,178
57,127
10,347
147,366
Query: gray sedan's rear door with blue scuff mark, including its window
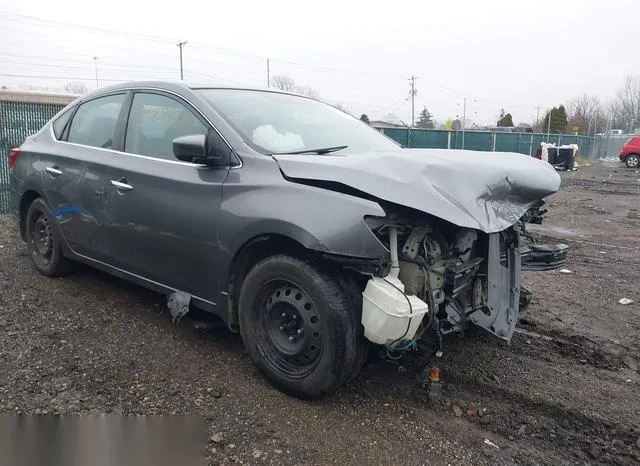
75,172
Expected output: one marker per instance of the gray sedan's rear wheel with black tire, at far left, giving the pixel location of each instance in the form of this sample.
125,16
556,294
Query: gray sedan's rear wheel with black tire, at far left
43,241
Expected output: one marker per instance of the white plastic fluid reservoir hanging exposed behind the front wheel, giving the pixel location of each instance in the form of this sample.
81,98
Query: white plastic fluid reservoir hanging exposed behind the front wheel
386,314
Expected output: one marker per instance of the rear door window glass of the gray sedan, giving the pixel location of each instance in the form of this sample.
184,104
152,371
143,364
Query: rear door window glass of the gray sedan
94,123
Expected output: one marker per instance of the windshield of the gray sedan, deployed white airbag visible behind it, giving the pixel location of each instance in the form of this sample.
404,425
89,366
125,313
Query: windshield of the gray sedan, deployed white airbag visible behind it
276,123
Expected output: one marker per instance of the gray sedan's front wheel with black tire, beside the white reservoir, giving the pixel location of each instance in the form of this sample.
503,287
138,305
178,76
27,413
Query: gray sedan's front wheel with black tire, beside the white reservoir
299,327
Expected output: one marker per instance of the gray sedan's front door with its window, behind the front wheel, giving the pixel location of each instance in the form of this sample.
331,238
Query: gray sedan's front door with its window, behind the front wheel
166,212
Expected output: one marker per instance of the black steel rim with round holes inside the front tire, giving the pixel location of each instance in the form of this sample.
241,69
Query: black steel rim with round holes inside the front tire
293,325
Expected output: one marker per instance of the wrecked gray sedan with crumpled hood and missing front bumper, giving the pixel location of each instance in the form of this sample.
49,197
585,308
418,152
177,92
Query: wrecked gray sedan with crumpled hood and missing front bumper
307,231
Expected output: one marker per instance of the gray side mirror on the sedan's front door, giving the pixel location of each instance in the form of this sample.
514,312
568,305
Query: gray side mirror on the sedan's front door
209,149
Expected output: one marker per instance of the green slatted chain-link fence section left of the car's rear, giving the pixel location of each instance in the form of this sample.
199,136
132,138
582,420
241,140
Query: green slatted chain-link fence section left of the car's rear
17,121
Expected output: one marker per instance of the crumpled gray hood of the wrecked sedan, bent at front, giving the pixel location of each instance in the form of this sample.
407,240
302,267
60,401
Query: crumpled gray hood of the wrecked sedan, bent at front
488,191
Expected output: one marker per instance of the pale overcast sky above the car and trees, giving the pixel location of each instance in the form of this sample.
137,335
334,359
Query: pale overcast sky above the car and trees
499,53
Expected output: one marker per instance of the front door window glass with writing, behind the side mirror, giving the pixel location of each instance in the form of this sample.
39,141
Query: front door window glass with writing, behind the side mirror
155,121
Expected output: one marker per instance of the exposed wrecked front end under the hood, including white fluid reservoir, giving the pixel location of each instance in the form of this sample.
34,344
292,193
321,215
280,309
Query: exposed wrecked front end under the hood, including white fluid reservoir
461,276
